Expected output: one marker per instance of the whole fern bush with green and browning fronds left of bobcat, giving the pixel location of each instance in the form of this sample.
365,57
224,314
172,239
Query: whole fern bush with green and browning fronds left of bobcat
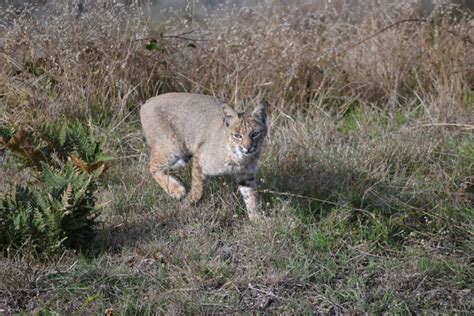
57,209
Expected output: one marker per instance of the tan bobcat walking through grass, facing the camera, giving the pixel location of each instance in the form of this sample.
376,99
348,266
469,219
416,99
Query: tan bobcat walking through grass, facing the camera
181,126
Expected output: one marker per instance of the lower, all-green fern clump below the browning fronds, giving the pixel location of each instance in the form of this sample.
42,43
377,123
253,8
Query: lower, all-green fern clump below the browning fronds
57,211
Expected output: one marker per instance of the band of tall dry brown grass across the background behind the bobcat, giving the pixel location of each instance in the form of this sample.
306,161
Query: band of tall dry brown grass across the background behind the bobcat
300,56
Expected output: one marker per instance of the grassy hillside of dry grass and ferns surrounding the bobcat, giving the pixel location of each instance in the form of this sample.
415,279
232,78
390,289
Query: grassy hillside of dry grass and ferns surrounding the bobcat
366,178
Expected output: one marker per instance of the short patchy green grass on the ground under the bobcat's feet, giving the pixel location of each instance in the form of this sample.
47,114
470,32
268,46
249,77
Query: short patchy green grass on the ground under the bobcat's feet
372,240
